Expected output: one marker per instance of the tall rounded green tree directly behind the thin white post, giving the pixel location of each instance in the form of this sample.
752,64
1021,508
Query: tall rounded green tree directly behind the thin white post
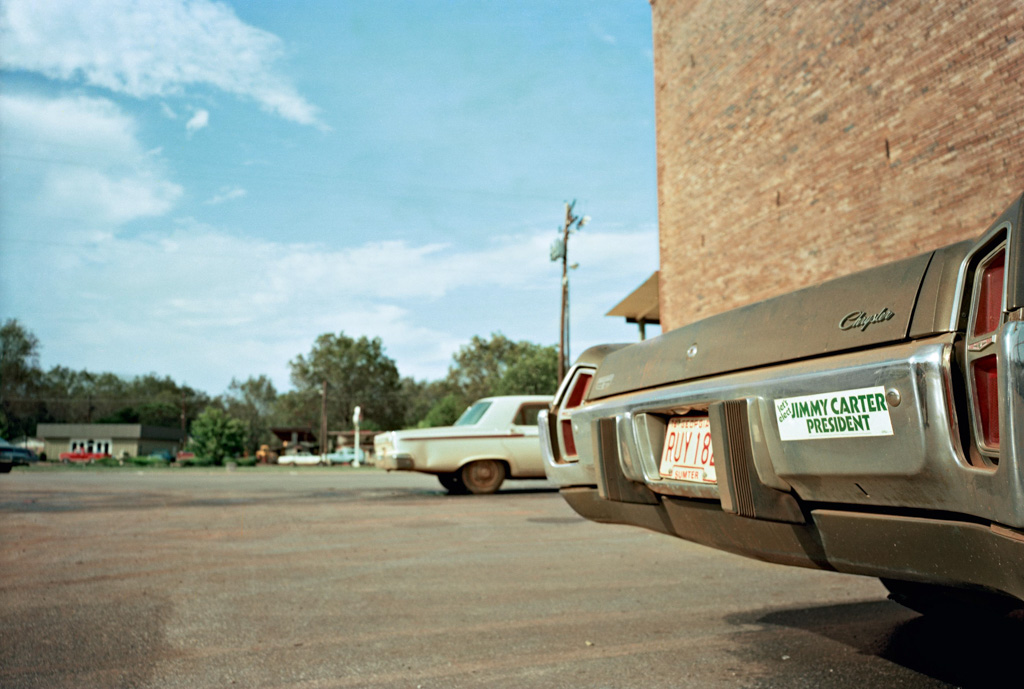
358,373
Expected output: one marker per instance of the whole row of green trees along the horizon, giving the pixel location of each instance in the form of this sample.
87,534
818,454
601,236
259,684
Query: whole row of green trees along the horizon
358,372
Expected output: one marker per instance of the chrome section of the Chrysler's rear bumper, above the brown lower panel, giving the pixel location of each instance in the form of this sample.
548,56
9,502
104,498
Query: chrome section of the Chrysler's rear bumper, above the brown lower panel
923,464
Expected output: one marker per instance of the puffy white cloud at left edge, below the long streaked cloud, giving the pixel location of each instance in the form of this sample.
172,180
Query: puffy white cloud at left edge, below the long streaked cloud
89,166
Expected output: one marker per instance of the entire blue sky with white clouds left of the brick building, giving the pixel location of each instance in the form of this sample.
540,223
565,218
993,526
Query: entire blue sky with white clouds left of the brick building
200,189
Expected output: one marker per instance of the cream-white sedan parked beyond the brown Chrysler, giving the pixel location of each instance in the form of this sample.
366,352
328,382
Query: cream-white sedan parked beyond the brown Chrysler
494,440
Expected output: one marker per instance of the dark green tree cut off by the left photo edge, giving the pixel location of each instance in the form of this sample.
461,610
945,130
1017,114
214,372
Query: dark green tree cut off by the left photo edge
20,380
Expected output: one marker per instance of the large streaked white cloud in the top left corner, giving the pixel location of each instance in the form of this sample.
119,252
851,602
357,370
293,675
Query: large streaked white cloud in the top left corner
150,50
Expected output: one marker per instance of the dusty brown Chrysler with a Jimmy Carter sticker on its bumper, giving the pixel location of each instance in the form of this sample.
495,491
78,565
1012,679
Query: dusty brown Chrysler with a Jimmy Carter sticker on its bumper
872,425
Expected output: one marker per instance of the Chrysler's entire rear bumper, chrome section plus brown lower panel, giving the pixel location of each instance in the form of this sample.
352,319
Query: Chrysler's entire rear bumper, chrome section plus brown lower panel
909,506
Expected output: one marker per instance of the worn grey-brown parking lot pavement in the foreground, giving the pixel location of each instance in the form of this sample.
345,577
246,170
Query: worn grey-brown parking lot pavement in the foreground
342,578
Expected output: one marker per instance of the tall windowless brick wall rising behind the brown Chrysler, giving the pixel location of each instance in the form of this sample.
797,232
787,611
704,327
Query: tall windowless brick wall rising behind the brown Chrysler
801,142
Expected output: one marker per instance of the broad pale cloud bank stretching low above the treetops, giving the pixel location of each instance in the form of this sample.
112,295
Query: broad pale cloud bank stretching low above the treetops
224,307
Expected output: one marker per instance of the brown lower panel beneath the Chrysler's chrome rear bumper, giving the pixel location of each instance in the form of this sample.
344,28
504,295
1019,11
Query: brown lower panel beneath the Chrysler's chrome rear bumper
903,547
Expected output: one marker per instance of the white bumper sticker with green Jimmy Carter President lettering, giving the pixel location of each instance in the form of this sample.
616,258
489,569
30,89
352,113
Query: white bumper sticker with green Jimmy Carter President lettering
848,414
